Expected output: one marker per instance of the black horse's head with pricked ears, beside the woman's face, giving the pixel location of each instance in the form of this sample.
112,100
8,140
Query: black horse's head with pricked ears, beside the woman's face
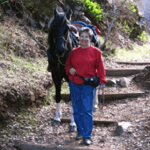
60,26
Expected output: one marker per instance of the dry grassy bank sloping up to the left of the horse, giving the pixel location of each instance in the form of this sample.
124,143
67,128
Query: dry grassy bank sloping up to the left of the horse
23,69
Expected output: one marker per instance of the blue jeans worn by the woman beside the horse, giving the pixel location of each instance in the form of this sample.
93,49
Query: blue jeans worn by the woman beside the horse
82,97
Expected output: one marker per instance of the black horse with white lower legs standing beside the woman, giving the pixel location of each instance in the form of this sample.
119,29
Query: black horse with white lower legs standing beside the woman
61,40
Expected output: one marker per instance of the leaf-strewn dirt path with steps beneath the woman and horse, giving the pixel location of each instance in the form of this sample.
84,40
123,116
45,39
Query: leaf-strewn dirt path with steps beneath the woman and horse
132,111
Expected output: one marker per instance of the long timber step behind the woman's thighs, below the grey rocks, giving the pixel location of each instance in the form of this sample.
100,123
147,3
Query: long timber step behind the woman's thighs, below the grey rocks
111,96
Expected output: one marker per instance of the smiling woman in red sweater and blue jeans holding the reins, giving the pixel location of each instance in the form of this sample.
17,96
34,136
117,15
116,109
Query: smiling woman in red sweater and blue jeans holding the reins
84,61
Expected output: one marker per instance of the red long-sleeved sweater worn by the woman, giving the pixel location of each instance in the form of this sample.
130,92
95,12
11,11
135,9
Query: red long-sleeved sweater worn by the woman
87,62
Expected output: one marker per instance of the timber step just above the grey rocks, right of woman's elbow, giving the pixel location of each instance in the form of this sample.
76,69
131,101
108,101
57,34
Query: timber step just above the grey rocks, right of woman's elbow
122,72
